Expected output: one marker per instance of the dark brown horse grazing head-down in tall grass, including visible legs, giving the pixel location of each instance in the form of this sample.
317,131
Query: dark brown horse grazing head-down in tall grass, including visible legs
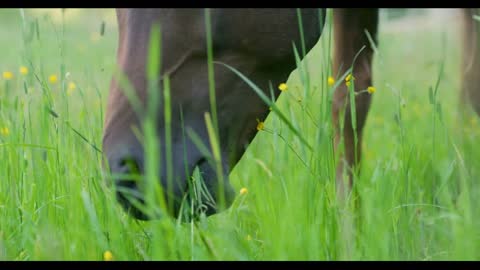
258,43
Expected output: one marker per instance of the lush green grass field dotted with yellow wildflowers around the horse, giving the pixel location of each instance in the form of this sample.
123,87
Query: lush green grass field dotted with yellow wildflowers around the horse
418,183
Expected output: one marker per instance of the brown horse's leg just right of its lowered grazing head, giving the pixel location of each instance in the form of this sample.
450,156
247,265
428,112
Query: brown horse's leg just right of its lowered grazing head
350,26
